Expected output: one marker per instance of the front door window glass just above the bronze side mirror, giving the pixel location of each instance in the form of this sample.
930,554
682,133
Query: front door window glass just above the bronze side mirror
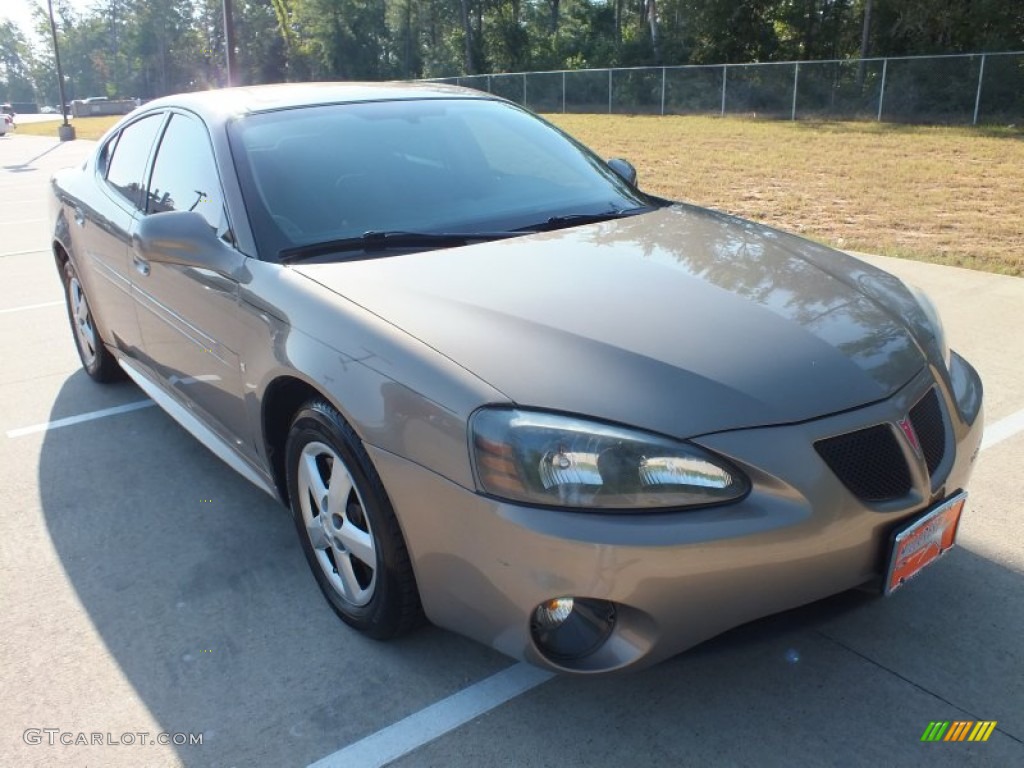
185,176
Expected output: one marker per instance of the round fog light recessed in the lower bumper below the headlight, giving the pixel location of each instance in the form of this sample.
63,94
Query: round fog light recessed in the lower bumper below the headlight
569,628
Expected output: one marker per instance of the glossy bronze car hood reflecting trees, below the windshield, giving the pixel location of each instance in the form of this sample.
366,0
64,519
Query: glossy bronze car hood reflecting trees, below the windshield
682,321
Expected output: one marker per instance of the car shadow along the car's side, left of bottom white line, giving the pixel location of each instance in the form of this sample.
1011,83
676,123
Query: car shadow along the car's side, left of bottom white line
198,586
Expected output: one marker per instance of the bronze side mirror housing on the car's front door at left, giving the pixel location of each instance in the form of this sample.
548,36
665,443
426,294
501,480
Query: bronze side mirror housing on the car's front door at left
186,239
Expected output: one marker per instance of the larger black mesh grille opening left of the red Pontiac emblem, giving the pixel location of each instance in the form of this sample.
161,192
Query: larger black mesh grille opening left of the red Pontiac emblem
869,462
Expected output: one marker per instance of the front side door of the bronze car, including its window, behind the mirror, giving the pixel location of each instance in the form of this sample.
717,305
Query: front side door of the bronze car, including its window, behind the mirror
189,316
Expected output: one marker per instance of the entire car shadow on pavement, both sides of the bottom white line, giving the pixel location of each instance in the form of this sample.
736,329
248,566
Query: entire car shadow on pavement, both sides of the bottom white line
199,589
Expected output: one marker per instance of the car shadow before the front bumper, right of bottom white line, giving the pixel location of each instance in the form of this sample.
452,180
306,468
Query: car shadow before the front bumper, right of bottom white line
847,681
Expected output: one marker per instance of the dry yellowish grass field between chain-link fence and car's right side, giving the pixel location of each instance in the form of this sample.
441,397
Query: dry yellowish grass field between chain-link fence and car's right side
954,196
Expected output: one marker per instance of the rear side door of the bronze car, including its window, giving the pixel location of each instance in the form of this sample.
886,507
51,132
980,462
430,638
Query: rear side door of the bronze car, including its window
103,216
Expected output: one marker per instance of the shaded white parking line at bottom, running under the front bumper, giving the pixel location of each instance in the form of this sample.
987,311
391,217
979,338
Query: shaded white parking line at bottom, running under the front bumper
426,726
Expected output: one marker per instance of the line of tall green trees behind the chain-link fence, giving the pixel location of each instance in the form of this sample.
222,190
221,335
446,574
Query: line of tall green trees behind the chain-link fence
147,49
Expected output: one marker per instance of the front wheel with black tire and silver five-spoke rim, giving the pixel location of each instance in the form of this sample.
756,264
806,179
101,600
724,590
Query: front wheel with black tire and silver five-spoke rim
383,604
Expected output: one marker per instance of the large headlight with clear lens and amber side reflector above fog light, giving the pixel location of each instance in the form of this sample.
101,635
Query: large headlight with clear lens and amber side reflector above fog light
563,461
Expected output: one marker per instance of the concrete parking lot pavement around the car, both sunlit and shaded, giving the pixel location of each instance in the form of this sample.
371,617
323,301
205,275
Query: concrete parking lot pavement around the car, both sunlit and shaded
146,588
